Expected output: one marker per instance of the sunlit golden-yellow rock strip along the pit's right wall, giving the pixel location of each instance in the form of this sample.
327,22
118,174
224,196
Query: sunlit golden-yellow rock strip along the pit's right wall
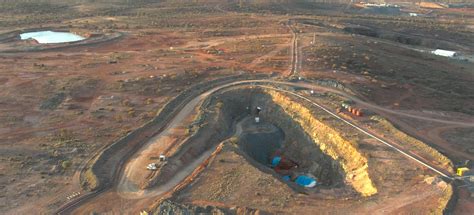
331,142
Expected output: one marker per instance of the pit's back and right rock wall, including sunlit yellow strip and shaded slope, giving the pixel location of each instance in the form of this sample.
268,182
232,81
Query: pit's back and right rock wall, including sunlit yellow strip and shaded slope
318,148
